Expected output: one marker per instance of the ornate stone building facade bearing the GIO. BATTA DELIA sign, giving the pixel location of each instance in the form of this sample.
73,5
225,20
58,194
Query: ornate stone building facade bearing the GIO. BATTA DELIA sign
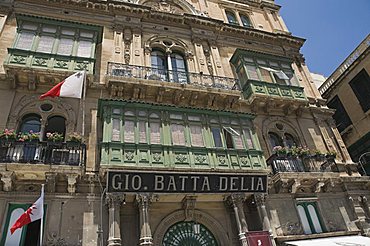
201,125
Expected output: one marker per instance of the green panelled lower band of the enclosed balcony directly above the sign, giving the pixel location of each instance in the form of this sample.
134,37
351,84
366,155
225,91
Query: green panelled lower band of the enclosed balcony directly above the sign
161,156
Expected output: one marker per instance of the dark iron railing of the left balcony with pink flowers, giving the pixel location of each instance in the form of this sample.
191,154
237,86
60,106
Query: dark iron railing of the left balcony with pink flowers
68,153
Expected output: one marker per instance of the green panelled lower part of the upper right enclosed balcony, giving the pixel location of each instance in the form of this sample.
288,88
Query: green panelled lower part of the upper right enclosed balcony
254,88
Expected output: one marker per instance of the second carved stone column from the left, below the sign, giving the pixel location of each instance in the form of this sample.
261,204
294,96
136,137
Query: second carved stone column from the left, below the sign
143,201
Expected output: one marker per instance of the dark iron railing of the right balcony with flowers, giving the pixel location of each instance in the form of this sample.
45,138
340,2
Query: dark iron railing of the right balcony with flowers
302,164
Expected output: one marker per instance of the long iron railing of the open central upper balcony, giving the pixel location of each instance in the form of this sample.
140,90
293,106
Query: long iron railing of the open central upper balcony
117,70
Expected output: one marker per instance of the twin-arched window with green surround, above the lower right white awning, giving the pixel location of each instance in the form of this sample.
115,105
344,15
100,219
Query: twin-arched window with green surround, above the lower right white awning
309,217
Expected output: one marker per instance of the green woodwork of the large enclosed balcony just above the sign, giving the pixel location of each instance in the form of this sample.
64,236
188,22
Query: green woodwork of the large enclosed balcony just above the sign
176,156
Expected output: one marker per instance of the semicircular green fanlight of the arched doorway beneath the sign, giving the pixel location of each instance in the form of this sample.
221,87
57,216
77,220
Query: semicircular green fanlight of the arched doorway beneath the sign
183,234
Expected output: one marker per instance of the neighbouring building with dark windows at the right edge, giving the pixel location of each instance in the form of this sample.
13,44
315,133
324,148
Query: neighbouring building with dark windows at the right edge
347,91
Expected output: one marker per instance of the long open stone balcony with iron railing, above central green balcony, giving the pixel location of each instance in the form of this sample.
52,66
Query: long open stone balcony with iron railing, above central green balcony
171,86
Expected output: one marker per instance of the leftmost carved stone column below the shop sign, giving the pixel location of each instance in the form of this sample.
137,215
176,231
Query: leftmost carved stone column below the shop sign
114,204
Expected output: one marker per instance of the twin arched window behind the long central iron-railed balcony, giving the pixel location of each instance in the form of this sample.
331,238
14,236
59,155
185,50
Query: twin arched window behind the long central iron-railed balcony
168,67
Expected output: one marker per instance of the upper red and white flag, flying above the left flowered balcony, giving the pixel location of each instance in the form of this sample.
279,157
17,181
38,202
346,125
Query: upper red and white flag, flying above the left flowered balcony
70,87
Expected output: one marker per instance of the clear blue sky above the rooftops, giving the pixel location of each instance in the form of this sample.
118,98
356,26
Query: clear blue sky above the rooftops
332,29
